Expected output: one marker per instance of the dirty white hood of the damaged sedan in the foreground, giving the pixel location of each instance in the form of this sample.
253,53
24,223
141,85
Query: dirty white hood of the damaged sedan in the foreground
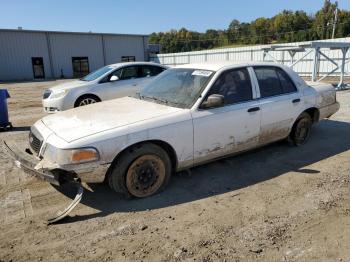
88,120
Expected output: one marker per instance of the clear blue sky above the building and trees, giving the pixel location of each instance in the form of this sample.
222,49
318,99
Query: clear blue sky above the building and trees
141,16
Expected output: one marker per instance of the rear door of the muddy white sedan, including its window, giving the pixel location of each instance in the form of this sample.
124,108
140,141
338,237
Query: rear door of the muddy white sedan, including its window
280,103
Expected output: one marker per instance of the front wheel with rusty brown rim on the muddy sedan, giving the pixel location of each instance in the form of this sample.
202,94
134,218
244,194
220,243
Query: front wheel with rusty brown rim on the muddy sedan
141,171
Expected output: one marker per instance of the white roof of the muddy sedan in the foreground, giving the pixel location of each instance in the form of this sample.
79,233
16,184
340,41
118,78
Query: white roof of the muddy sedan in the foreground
216,66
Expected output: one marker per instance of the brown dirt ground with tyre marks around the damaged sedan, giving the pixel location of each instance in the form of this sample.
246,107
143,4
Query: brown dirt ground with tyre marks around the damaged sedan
277,203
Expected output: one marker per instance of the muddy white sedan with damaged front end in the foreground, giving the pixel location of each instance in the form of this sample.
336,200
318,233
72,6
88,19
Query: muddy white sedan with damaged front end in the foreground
187,116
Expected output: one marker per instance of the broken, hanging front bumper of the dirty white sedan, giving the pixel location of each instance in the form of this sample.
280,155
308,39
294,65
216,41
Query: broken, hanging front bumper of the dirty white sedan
28,164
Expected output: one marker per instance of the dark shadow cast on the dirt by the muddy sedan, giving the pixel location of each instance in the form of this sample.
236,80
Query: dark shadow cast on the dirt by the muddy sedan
328,138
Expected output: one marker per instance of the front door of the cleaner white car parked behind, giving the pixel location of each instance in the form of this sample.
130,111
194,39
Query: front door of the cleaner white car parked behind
126,85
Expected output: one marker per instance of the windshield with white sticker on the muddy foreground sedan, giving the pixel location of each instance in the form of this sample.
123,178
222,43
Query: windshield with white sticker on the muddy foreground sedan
179,87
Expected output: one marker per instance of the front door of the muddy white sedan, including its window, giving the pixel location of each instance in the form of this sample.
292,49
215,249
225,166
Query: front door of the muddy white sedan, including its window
233,127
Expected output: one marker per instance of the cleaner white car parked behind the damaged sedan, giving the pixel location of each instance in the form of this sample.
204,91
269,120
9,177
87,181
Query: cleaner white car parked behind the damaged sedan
109,82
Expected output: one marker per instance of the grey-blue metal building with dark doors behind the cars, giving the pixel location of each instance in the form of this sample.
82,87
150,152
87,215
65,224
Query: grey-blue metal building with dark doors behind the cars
28,54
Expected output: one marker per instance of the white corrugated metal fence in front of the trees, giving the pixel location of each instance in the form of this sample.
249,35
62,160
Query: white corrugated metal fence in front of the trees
255,53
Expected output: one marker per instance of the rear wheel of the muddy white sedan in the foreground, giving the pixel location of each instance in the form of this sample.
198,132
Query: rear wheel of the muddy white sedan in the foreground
301,130
